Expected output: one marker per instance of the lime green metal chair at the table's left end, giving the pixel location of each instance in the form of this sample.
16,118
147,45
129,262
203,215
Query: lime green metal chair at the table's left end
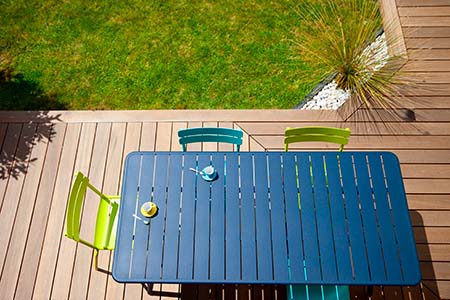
106,225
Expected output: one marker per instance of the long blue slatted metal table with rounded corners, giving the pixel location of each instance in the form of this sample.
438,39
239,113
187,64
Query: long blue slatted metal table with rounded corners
269,218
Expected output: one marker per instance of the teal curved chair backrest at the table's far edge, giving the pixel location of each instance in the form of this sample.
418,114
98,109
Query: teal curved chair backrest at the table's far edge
210,134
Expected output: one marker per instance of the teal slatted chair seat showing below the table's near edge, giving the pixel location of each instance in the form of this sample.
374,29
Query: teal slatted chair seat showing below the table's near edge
319,292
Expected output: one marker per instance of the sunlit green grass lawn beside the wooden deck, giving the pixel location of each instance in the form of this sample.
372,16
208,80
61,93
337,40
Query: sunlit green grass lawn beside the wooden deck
144,54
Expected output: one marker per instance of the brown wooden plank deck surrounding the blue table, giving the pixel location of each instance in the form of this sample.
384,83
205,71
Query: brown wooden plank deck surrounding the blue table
40,152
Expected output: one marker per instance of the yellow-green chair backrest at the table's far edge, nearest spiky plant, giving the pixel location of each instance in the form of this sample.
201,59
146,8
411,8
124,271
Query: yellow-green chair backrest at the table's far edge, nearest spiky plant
316,134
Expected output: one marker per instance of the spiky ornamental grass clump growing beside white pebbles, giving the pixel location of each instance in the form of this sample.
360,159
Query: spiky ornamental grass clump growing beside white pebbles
335,39
